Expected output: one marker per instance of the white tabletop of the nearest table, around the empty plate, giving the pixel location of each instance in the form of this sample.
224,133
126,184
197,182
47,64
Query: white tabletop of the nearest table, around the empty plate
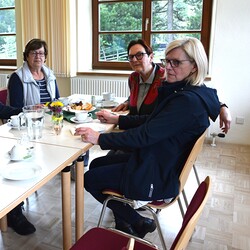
52,159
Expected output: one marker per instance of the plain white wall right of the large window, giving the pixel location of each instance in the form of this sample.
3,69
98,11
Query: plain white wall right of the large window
230,64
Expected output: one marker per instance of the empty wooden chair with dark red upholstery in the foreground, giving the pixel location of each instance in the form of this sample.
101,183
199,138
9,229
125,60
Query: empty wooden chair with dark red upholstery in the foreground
109,239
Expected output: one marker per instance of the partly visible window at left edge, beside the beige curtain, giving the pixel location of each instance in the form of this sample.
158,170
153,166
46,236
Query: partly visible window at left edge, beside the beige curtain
7,33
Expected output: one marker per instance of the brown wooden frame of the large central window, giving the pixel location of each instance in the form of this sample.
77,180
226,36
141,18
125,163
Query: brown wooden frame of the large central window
205,32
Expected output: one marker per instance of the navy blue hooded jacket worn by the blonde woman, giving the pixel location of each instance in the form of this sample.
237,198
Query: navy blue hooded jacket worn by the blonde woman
161,142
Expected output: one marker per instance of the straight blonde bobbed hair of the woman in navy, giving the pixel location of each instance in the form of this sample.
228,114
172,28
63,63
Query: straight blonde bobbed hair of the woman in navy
196,53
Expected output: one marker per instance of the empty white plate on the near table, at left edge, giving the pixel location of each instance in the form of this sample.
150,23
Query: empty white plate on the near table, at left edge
18,171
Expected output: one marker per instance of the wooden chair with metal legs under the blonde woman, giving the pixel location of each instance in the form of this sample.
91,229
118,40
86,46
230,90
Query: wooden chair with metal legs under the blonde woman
159,205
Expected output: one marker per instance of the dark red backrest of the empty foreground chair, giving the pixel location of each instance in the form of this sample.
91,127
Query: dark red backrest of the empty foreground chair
192,215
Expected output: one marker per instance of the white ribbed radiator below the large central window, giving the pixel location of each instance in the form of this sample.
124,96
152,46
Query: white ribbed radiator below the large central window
85,86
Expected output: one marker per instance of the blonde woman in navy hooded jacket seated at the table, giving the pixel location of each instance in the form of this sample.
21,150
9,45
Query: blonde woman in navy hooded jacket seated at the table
160,143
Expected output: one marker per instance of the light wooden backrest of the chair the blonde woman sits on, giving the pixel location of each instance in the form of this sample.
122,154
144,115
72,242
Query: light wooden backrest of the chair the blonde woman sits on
191,160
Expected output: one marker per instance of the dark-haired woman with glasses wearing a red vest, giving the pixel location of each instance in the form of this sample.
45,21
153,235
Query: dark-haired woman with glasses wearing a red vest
147,77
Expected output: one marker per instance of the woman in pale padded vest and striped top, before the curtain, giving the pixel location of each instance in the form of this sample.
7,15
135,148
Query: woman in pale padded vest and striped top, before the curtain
33,83
